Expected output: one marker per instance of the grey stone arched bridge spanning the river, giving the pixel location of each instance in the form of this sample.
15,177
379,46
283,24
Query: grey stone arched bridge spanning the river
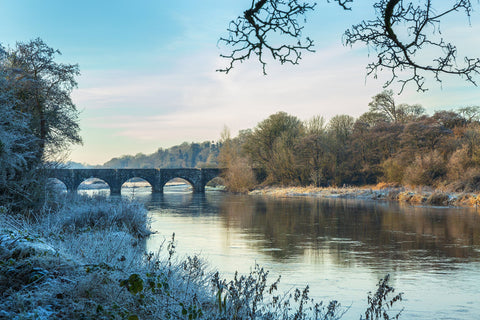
115,178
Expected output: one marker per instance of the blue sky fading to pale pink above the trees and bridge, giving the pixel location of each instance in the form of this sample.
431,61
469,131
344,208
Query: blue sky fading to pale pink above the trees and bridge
148,70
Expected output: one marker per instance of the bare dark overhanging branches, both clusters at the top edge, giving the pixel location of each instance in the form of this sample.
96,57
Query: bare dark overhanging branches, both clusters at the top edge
401,34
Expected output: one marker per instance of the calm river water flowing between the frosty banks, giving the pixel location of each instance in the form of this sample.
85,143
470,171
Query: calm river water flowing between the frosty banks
339,247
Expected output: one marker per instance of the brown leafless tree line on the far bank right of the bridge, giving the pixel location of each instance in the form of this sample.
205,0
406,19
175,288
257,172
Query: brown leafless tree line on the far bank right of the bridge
392,143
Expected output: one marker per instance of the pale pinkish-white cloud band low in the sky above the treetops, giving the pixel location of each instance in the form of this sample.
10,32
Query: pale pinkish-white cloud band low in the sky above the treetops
191,102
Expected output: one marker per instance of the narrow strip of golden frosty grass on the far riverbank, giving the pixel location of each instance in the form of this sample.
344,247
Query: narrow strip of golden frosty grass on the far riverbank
413,196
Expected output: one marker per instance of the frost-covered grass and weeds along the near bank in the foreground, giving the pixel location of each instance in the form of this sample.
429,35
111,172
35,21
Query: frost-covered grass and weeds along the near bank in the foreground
86,260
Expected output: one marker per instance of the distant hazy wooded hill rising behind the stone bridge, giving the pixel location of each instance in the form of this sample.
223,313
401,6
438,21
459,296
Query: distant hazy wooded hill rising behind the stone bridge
186,155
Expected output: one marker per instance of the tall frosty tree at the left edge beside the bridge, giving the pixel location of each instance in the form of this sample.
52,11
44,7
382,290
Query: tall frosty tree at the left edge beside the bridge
38,120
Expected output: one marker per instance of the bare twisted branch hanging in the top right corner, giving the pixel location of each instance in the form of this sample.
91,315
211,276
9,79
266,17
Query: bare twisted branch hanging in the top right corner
420,27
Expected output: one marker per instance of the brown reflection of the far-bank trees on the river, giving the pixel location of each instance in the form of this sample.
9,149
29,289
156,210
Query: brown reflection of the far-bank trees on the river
355,230
